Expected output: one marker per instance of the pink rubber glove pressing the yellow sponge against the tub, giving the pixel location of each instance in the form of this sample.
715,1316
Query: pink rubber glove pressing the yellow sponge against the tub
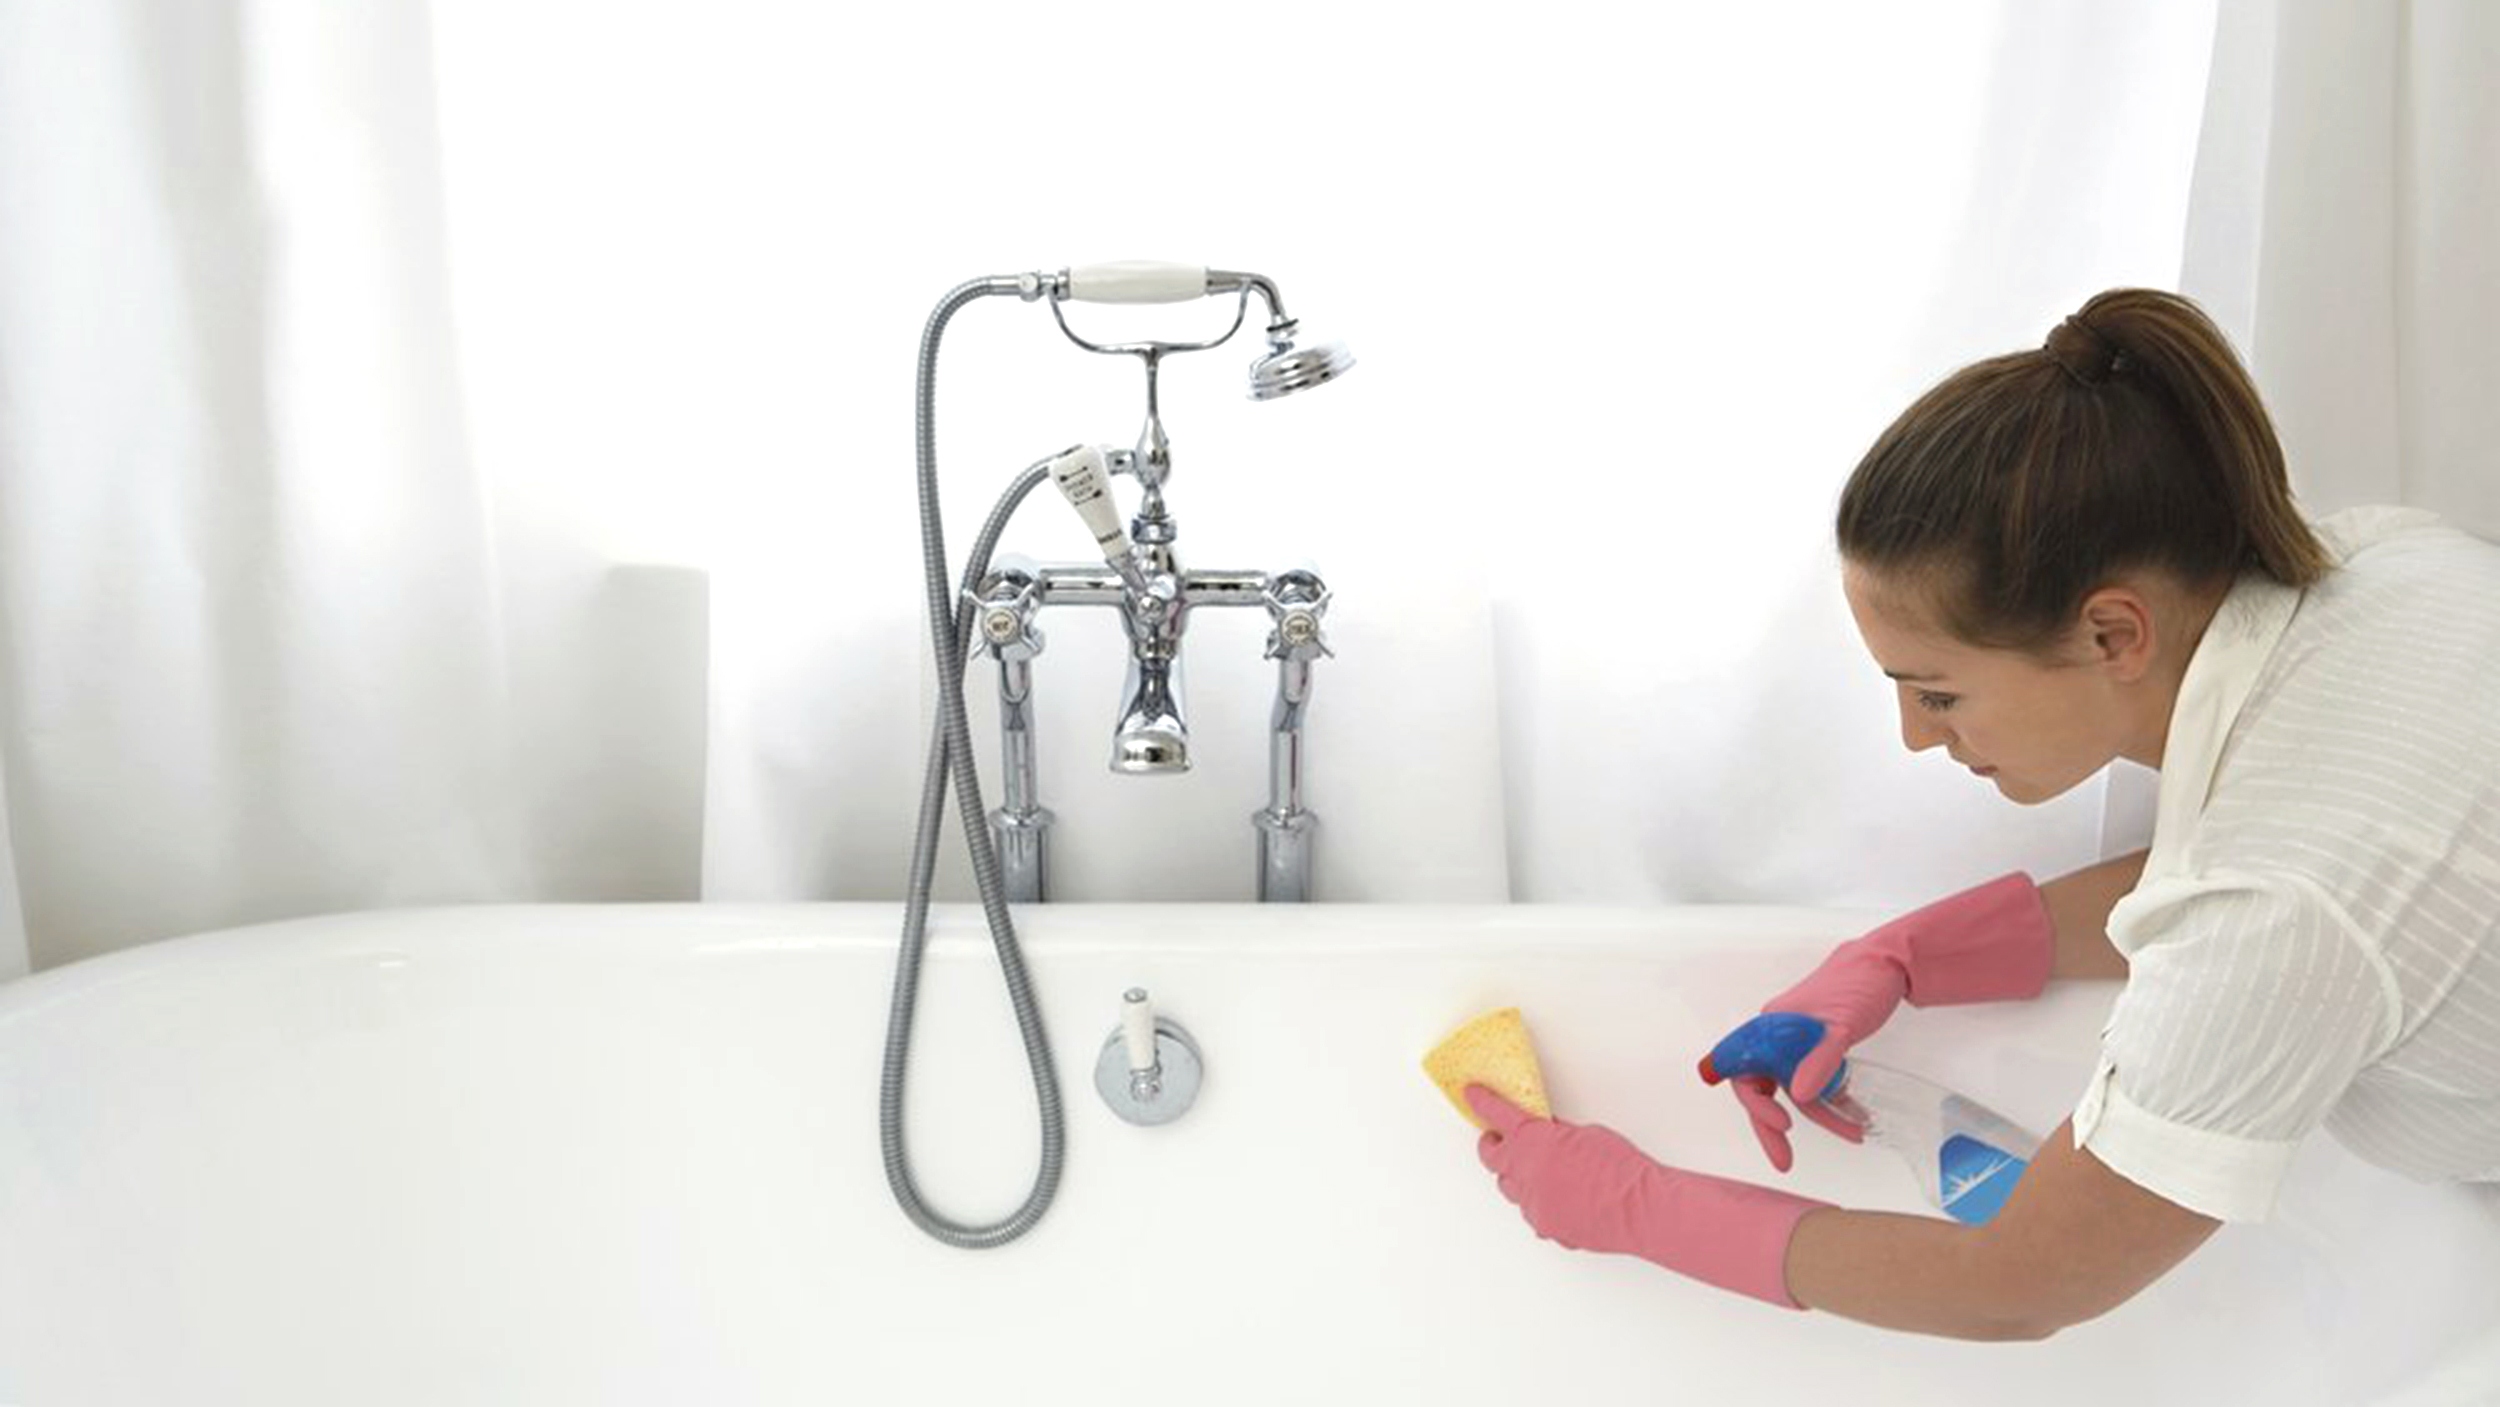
1589,1188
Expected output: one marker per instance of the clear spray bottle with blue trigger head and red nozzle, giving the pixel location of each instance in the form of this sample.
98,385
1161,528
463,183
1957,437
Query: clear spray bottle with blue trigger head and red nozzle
1966,1158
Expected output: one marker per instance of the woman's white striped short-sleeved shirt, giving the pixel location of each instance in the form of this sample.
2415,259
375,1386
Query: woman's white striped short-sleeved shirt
2316,938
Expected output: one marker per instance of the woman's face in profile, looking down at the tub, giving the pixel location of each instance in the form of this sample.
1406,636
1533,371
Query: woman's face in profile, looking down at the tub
2029,726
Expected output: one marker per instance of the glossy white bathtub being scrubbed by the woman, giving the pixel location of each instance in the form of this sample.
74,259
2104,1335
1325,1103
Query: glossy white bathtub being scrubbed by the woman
554,1156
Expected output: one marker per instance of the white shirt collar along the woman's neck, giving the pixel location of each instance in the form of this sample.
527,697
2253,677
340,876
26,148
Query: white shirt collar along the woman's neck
2219,679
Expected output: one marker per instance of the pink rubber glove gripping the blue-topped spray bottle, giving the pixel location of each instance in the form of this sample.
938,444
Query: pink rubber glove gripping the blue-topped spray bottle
1991,943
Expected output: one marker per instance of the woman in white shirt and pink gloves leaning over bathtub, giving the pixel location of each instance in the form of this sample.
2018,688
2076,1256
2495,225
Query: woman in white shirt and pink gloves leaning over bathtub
2089,554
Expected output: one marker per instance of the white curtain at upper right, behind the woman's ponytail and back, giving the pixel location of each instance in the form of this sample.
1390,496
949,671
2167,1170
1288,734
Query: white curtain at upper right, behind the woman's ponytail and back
2344,229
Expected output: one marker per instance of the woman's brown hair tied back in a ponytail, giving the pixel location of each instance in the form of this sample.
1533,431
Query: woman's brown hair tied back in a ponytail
2131,439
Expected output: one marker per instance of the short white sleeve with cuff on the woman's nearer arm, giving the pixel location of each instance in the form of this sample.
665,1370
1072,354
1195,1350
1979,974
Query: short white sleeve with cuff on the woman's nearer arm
2249,1011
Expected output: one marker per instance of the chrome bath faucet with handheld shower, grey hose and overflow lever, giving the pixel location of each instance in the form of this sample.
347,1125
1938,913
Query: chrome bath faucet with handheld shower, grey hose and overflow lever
994,609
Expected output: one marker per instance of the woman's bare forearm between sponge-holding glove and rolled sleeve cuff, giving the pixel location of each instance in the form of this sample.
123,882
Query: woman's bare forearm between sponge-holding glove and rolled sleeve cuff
2074,1243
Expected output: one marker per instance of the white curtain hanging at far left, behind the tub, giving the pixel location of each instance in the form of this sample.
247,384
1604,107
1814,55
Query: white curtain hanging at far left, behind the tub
269,639
